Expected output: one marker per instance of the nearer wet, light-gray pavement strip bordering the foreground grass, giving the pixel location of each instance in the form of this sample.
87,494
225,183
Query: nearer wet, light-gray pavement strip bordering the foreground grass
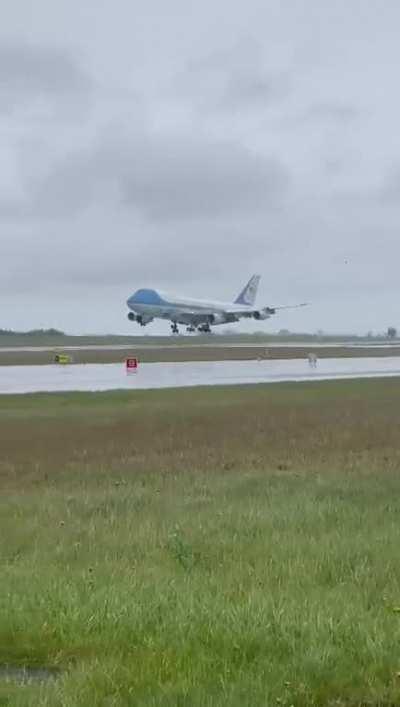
96,377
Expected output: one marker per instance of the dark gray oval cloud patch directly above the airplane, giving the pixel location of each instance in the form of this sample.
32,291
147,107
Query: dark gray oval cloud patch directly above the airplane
176,179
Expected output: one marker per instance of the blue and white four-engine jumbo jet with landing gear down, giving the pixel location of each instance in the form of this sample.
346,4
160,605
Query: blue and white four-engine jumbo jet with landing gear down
148,304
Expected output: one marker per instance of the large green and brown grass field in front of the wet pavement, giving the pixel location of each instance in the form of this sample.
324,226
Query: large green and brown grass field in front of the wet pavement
235,546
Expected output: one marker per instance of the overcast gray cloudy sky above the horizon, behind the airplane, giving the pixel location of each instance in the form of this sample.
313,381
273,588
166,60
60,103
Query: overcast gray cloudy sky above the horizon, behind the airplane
185,145
